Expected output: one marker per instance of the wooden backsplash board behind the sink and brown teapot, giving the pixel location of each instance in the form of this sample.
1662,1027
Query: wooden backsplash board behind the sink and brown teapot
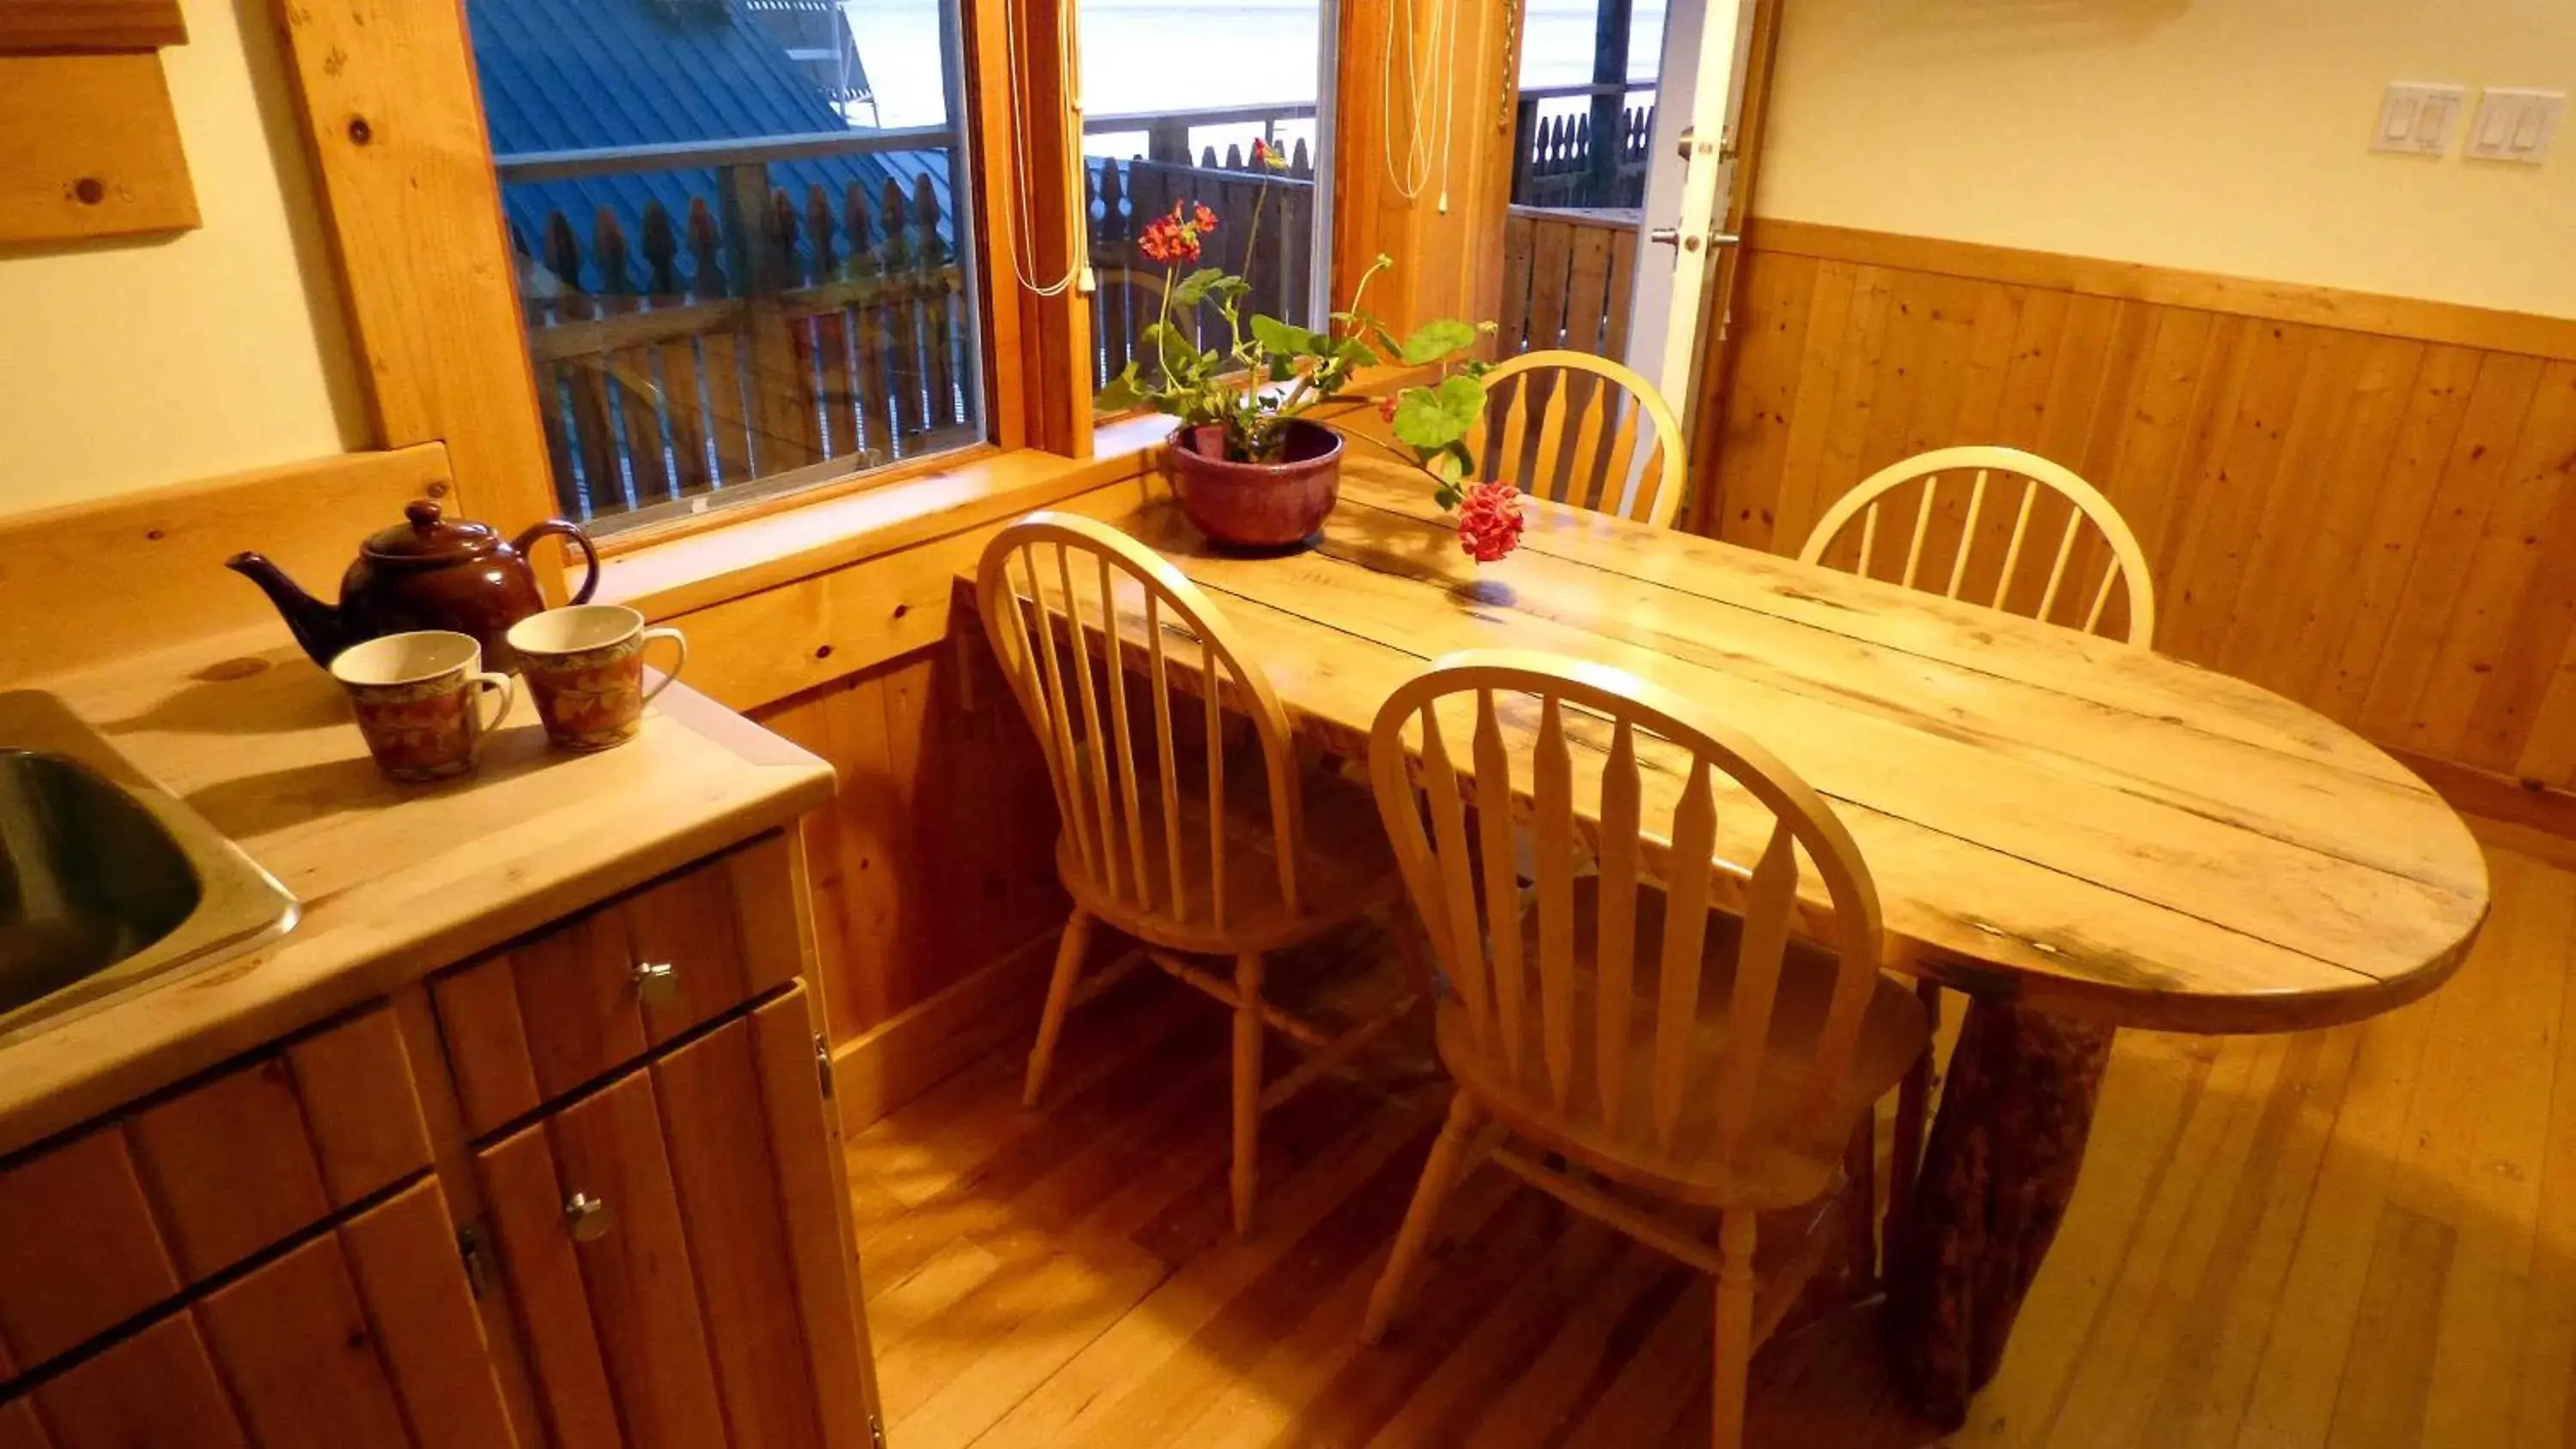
148,570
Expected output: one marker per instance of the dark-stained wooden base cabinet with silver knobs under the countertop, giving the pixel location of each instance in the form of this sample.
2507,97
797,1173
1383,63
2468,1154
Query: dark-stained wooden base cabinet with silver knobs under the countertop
630,1108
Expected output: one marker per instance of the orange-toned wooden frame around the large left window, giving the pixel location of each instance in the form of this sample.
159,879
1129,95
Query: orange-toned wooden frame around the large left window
393,122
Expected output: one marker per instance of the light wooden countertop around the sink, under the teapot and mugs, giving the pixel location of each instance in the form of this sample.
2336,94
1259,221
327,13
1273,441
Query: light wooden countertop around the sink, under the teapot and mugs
395,879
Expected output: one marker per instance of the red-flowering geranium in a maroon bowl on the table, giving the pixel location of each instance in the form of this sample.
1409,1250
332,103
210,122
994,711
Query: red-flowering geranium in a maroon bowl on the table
1248,462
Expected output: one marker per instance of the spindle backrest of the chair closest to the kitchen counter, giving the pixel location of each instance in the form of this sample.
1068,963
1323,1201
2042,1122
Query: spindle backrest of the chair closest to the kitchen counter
1070,606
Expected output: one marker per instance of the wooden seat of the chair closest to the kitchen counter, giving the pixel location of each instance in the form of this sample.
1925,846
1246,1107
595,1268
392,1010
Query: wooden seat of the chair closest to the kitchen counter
1346,874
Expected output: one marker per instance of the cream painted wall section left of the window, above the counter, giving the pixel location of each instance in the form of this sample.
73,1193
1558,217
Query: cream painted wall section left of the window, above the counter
158,362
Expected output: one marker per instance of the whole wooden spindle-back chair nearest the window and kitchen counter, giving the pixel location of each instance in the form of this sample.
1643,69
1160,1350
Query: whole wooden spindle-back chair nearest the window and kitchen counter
1155,843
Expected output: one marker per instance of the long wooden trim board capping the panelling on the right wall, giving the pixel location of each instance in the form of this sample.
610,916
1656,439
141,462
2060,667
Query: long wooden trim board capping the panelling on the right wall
2170,287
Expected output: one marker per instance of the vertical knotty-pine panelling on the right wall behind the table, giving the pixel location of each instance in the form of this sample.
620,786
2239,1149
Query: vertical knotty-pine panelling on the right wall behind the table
2361,503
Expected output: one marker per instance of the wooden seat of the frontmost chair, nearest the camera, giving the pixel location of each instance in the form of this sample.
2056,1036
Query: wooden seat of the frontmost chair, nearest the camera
1774,1167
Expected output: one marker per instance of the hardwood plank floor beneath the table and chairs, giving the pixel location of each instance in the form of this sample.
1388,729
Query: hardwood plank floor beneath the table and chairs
2353,1237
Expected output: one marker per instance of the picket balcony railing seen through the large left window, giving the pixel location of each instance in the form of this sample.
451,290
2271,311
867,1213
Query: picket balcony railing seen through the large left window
741,336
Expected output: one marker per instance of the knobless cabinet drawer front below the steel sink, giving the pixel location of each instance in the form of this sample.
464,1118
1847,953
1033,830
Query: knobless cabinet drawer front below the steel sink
138,1208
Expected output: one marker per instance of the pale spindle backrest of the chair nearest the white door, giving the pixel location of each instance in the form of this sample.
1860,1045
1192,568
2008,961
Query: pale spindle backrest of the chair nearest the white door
1583,431
